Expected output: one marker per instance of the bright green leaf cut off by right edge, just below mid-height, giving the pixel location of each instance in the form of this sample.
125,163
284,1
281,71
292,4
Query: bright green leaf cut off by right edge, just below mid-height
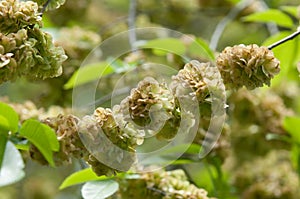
291,125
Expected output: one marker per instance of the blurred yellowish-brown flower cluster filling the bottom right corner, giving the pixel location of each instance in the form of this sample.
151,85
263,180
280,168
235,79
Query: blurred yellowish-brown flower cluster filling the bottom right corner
272,177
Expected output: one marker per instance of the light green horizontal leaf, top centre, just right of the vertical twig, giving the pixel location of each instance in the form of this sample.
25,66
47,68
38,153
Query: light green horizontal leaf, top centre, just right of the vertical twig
166,44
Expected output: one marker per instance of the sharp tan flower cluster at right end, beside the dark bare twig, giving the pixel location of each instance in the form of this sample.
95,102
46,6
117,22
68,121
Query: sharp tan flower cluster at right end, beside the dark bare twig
250,66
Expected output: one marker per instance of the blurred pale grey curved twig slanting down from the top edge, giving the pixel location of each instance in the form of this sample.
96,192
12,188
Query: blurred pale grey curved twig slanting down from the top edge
223,23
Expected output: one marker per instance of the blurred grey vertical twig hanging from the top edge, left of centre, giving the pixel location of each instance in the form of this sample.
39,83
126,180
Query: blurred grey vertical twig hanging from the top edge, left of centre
131,24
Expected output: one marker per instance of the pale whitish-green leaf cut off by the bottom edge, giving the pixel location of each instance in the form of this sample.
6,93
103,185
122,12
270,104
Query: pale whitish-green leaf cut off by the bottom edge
99,189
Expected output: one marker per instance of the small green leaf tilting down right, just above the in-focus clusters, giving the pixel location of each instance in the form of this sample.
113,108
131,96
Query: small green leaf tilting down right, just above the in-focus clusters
200,48
